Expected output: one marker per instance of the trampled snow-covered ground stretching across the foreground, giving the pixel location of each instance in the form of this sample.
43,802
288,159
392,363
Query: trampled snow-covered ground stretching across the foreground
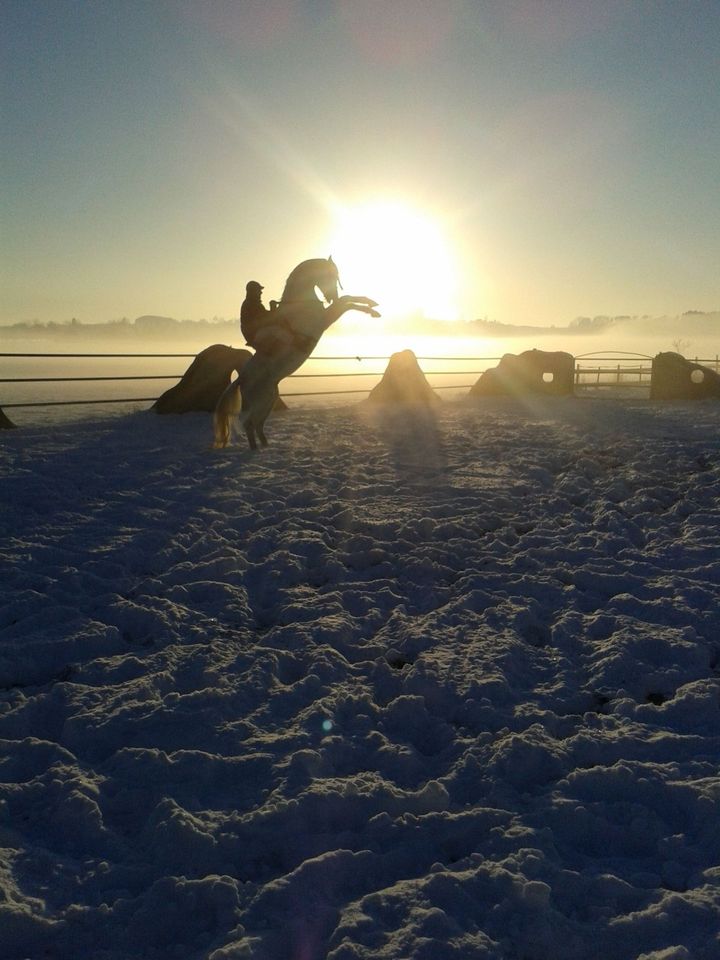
424,687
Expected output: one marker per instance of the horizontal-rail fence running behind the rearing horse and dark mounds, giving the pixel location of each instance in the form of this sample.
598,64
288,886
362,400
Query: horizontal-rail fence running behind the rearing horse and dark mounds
611,371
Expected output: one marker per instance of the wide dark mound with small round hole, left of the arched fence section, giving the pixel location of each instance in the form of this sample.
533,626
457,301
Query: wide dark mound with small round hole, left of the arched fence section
550,373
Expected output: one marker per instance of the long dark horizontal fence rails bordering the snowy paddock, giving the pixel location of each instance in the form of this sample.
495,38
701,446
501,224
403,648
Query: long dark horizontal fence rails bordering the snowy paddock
592,372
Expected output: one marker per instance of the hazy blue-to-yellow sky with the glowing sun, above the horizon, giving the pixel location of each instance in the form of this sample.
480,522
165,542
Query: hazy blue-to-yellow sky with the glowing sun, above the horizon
525,160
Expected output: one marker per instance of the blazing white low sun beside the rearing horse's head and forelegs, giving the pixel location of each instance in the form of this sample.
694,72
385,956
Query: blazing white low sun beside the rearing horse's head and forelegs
398,255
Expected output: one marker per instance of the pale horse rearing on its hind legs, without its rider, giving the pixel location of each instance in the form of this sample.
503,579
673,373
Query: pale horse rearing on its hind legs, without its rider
284,343
